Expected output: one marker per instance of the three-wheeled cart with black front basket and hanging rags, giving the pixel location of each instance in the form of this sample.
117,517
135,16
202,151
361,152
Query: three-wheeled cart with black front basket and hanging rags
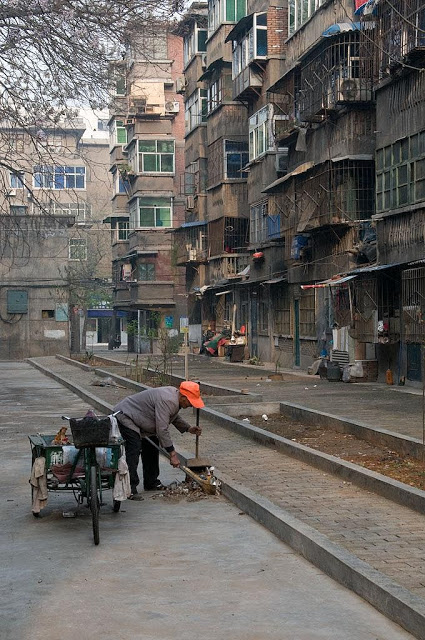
85,466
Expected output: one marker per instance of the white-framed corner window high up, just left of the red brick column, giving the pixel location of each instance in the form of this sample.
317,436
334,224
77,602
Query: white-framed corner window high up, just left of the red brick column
252,46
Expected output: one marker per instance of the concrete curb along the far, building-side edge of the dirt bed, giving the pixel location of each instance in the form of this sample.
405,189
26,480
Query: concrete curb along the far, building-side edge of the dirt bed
404,445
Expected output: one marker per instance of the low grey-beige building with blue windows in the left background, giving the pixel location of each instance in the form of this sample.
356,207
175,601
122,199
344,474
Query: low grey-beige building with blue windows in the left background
54,251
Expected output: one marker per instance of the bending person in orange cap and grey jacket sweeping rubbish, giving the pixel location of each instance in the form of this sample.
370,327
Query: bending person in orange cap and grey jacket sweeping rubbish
150,413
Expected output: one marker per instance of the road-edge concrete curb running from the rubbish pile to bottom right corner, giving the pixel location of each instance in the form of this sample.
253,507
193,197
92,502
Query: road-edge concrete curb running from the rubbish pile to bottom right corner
393,600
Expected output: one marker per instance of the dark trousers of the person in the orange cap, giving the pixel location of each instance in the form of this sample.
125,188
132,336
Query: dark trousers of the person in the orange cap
136,446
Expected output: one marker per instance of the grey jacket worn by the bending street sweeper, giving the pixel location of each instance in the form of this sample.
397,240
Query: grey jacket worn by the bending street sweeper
151,412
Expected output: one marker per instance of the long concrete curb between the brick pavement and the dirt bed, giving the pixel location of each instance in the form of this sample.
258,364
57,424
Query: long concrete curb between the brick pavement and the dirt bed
360,476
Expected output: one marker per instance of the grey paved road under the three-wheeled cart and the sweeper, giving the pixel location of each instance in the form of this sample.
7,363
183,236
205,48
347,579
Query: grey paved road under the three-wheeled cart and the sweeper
162,570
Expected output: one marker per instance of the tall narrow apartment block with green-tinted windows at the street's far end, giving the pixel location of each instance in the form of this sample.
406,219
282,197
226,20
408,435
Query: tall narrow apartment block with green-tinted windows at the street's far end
147,163
